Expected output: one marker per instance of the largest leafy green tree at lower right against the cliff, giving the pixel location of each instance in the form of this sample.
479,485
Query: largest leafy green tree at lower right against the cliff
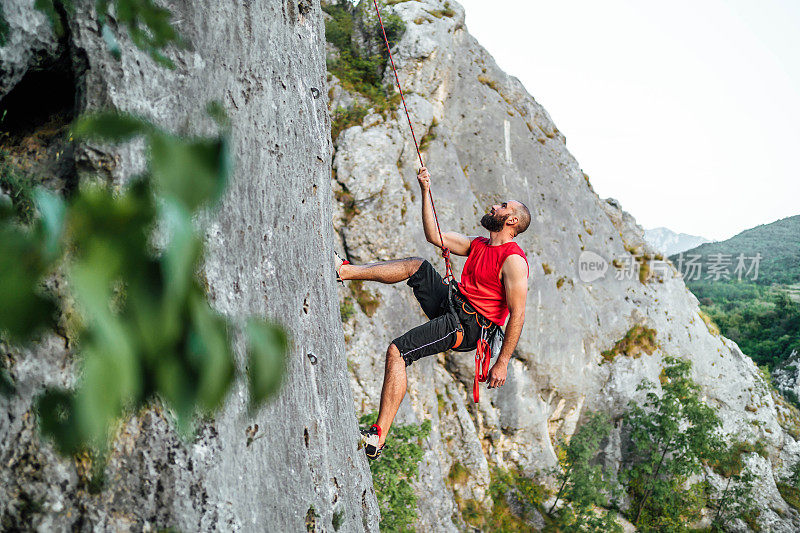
673,437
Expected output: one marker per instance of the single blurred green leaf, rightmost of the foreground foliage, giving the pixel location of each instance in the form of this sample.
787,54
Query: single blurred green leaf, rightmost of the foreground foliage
266,362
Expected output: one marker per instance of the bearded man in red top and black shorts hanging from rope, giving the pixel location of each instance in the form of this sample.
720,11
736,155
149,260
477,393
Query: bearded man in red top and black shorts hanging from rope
494,286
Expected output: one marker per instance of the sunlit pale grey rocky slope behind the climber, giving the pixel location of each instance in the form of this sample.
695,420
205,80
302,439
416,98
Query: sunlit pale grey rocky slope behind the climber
492,142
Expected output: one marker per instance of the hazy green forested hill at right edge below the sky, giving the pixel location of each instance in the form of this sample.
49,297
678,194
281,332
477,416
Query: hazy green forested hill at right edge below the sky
777,245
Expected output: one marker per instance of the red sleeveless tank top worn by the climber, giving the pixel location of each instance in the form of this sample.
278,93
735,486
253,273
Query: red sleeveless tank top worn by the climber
480,280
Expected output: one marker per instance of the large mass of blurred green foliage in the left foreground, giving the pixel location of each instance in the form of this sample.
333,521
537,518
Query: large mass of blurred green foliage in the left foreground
146,330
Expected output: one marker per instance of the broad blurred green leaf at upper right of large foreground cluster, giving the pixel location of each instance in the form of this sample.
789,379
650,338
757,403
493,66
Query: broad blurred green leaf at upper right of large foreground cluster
193,172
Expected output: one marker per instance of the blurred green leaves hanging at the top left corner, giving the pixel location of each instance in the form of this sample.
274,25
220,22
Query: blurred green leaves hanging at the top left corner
148,24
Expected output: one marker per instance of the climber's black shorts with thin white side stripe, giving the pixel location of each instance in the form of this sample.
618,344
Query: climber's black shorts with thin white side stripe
440,332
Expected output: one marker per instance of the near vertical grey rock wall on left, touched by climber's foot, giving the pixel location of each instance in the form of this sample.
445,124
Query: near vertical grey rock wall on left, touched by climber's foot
265,63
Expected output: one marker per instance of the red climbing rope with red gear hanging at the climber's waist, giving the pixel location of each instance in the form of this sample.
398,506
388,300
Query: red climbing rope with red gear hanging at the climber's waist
483,352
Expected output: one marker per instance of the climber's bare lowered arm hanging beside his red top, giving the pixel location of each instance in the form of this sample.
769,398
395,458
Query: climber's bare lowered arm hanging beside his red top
515,281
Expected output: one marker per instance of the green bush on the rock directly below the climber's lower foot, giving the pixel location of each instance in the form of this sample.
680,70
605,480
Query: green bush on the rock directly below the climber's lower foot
394,471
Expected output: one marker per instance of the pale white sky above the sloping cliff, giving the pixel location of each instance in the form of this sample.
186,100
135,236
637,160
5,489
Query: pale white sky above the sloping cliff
686,111
